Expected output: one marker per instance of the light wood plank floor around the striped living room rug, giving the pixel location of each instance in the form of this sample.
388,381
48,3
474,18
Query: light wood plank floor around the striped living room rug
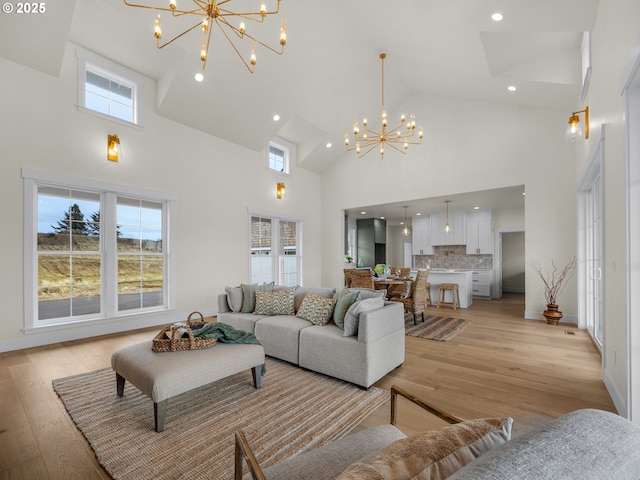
499,365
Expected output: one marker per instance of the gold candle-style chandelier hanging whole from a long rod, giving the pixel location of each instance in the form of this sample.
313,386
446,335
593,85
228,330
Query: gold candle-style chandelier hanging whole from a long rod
398,138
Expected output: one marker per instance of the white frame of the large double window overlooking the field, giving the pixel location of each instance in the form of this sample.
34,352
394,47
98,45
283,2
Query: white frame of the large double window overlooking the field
33,180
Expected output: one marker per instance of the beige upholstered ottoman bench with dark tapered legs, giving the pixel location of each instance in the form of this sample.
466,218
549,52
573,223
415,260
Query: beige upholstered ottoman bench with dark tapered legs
162,375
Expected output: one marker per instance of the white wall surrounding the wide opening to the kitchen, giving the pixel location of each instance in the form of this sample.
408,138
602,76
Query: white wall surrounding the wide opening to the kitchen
470,146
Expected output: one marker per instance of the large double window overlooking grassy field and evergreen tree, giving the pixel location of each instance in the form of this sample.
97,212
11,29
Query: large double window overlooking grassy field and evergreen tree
93,251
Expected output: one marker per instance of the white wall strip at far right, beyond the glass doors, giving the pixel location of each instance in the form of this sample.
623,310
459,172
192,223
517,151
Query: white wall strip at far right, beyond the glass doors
616,31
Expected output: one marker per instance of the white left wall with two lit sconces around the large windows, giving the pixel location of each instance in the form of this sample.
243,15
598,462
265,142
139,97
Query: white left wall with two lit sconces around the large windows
215,182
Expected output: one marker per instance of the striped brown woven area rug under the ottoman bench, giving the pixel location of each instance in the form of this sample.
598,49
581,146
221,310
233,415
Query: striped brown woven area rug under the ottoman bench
294,411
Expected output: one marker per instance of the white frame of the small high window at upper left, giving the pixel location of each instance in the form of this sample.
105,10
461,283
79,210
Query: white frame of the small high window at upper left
90,62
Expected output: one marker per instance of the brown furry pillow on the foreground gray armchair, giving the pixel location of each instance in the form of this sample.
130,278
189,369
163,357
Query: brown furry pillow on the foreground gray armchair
434,454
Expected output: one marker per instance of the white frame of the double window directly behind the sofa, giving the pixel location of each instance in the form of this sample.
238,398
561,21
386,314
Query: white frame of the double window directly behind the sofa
277,267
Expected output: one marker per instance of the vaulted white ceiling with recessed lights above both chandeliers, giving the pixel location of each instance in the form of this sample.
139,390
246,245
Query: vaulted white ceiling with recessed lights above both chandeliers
330,71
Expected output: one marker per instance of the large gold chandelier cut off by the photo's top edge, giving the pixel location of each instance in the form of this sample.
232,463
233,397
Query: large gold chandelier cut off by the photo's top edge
220,13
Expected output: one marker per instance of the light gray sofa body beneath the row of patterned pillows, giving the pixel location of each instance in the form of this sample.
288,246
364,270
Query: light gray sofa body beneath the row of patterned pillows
376,348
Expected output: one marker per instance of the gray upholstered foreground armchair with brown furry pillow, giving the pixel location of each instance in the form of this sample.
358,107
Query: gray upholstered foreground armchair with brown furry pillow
584,444
